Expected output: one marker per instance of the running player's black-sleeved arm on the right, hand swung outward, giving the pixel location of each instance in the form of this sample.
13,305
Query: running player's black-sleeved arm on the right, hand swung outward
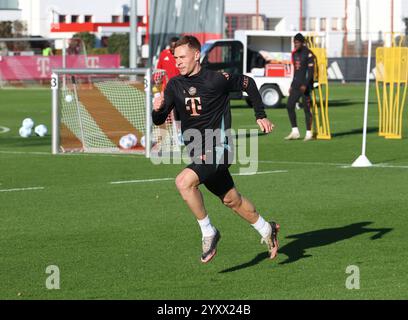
247,84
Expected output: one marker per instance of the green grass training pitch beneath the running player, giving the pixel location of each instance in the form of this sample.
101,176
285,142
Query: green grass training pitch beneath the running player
139,241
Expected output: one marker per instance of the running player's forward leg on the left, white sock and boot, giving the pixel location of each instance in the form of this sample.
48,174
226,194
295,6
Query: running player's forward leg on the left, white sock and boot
187,183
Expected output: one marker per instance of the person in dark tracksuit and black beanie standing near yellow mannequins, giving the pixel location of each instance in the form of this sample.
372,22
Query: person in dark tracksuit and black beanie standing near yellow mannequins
301,87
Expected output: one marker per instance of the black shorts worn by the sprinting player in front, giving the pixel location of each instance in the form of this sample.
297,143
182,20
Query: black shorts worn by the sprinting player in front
216,178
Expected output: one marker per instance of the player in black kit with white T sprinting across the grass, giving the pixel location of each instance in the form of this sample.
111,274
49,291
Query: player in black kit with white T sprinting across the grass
201,98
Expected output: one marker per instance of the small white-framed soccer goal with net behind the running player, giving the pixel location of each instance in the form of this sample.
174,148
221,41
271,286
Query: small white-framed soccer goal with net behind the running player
107,111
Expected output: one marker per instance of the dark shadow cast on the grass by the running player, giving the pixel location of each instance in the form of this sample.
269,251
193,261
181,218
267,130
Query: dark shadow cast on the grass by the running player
297,249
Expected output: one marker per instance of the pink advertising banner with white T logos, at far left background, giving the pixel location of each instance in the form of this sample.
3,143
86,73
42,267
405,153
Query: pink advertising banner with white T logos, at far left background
39,67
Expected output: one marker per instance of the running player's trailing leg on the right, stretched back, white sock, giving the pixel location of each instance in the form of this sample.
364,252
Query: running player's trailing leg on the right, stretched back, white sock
222,185
